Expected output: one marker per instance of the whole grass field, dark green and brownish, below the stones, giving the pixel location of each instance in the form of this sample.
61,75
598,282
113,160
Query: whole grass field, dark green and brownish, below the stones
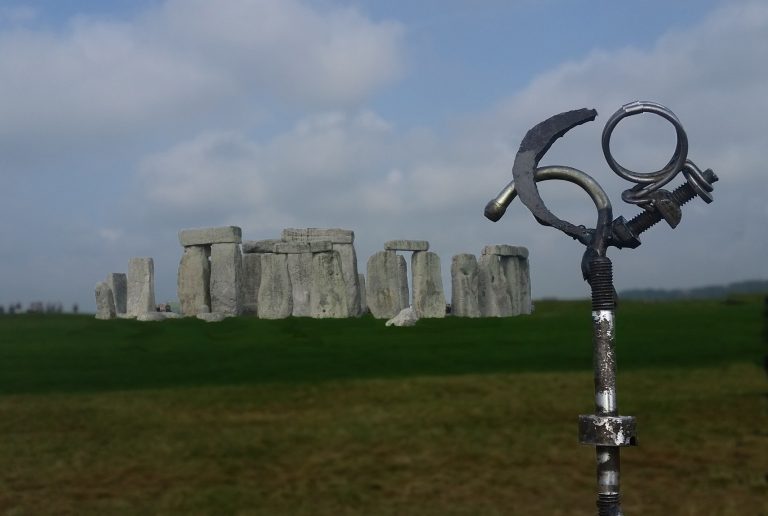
453,416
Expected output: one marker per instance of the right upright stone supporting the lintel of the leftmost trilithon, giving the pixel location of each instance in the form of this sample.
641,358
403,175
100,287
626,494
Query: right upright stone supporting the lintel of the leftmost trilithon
226,273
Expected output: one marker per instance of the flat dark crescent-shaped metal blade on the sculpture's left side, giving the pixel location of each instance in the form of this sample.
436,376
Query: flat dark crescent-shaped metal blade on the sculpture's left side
535,144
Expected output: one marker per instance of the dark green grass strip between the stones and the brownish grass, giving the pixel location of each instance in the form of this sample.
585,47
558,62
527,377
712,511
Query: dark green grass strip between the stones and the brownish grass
67,353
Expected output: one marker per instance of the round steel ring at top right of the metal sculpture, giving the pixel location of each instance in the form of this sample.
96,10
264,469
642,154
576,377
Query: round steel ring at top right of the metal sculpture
663,175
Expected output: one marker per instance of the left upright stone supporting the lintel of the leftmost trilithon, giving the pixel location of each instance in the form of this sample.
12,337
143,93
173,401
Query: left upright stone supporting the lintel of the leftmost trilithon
193,280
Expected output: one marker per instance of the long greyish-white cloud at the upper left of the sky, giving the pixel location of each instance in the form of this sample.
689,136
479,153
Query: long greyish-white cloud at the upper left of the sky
185,60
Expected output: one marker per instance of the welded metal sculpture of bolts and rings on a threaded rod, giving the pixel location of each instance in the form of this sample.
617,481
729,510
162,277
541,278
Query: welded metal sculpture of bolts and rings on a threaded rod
605,429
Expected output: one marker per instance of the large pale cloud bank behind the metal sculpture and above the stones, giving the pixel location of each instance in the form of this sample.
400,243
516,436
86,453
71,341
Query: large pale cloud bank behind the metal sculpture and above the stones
357,170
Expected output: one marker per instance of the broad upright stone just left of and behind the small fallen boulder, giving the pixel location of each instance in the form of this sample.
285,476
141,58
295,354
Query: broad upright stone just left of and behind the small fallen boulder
383,285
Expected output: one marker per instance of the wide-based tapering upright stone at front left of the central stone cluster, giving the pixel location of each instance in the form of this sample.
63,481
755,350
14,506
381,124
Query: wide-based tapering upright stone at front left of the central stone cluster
275,292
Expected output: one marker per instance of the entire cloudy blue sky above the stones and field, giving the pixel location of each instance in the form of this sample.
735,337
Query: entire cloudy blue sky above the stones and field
123,122
